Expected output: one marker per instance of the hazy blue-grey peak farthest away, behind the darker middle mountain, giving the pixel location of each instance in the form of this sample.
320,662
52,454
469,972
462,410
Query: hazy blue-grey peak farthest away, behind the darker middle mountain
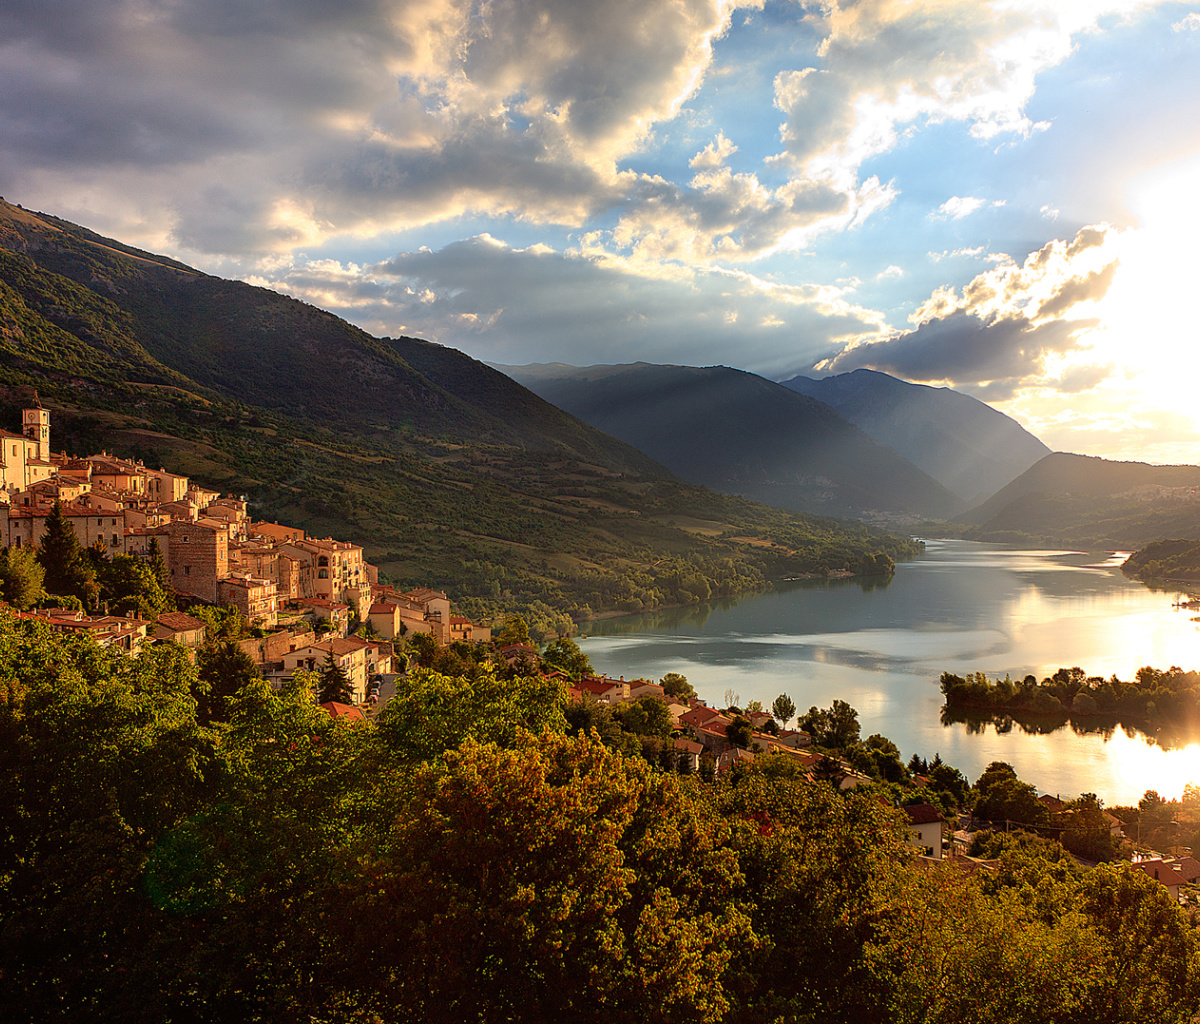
967,446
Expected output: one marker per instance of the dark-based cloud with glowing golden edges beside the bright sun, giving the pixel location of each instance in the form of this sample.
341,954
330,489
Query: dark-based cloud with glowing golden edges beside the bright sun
1007,327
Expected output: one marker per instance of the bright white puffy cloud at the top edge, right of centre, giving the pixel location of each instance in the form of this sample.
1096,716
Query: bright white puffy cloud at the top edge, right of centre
886,64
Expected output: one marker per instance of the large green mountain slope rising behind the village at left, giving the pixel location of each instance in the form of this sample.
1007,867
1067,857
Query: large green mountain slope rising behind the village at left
449,474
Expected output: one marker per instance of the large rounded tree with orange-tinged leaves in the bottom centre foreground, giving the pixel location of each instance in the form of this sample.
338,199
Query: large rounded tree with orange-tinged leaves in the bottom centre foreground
531,882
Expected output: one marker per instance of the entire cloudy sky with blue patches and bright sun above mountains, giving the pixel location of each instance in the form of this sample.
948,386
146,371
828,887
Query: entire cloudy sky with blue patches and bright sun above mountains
998,197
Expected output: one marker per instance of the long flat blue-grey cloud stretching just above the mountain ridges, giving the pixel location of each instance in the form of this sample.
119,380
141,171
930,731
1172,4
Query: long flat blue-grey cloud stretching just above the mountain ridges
514,306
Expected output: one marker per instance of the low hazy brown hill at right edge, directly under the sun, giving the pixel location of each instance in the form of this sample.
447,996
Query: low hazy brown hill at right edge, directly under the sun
1078,500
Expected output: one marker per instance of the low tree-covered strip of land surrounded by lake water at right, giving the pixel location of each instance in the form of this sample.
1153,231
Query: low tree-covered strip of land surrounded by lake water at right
1162,703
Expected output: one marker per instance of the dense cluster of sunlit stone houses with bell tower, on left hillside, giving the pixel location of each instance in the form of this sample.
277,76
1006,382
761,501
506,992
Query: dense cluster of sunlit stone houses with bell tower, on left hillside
283,583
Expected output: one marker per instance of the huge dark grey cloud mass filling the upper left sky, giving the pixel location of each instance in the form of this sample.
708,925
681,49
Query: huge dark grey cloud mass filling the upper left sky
256,130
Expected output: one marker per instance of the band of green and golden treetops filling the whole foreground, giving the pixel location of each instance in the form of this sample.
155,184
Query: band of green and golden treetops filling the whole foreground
466,861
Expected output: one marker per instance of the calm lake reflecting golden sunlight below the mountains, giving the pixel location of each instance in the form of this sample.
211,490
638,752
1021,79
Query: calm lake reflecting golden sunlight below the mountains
963,607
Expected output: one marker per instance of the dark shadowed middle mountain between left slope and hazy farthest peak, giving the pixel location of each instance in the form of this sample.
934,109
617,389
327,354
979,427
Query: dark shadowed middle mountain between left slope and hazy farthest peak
741,434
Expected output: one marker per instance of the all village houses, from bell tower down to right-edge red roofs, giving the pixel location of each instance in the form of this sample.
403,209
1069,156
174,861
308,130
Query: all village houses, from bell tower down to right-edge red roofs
304,596
